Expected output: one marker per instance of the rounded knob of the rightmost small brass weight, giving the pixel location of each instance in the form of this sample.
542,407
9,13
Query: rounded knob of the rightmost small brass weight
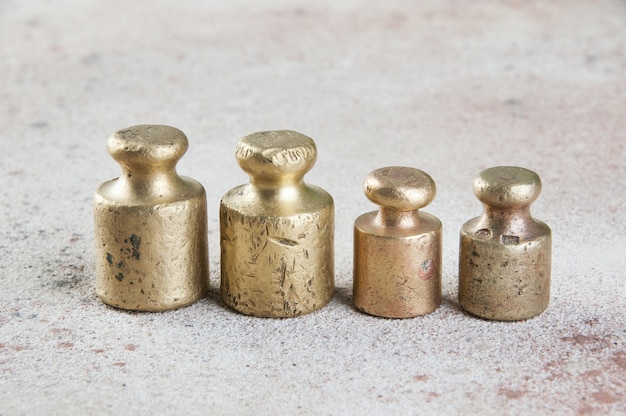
507,187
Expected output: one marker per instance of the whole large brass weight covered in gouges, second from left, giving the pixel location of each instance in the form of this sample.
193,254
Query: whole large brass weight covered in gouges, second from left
277,252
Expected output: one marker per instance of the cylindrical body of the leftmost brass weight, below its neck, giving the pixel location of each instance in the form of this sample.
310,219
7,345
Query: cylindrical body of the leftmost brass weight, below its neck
151,258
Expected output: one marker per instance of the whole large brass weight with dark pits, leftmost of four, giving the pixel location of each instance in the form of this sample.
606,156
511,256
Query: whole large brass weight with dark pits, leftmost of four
150,225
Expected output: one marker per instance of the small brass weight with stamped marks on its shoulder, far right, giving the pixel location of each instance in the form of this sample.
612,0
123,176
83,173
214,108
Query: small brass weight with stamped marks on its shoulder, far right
505,254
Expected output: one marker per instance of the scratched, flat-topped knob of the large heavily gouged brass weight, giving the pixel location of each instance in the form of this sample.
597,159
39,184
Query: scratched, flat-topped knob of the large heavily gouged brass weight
276,157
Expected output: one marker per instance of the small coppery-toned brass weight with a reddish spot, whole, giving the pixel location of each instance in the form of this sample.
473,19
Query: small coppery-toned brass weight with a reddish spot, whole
397,249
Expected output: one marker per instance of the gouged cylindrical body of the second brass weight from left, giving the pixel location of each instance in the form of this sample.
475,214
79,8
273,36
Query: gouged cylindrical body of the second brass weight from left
277,266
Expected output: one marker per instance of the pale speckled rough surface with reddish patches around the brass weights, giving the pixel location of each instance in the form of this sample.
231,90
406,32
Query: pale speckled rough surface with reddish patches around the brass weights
448,87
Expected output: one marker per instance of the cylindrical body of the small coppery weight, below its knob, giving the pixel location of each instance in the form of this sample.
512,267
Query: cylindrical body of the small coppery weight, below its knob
397,276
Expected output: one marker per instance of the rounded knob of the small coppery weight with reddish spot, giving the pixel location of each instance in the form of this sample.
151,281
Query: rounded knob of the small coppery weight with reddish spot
399,187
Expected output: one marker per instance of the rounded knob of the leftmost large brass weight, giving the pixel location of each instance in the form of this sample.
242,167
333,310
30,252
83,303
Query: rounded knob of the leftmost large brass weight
147,145
